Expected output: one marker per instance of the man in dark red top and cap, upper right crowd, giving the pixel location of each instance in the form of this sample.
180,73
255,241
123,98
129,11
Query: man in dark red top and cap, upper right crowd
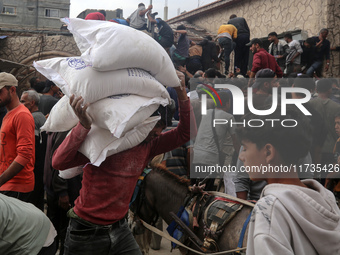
262,59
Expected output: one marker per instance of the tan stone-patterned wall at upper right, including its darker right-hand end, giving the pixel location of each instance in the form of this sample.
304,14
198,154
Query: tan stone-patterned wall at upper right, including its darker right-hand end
265,16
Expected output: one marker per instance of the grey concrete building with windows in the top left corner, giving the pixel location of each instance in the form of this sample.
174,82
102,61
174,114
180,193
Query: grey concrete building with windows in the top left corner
33,14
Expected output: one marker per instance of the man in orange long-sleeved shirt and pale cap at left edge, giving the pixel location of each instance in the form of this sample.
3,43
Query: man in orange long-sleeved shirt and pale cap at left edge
17,152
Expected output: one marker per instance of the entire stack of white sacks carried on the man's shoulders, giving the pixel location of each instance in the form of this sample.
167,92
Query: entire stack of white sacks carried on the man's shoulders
115,79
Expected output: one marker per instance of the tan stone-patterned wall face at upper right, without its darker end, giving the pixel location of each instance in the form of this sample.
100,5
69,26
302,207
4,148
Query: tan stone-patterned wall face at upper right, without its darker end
265,16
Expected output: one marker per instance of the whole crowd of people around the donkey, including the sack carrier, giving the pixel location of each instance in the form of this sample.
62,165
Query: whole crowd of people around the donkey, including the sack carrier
294,214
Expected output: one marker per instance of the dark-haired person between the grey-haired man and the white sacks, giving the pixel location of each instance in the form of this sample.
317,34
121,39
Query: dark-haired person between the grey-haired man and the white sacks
47,100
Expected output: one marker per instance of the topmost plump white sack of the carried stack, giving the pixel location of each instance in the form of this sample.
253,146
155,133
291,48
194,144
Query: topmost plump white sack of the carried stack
110,46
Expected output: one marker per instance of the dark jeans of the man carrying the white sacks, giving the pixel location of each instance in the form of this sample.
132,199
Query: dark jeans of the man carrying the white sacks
83,238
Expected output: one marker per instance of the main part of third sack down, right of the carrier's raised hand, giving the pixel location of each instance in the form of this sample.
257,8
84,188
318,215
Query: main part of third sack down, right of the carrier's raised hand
122,113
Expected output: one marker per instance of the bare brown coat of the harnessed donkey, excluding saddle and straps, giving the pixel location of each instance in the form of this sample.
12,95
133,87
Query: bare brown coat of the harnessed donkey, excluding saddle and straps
165,192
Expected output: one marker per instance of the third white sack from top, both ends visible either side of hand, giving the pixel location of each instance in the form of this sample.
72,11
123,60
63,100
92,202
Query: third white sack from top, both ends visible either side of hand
118,114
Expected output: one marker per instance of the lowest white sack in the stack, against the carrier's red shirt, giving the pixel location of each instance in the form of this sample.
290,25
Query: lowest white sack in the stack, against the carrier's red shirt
100,143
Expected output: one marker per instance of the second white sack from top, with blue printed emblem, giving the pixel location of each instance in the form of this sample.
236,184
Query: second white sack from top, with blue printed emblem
73,76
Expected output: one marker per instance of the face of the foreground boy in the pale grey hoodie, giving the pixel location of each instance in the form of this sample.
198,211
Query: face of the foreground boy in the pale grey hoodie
252,156
